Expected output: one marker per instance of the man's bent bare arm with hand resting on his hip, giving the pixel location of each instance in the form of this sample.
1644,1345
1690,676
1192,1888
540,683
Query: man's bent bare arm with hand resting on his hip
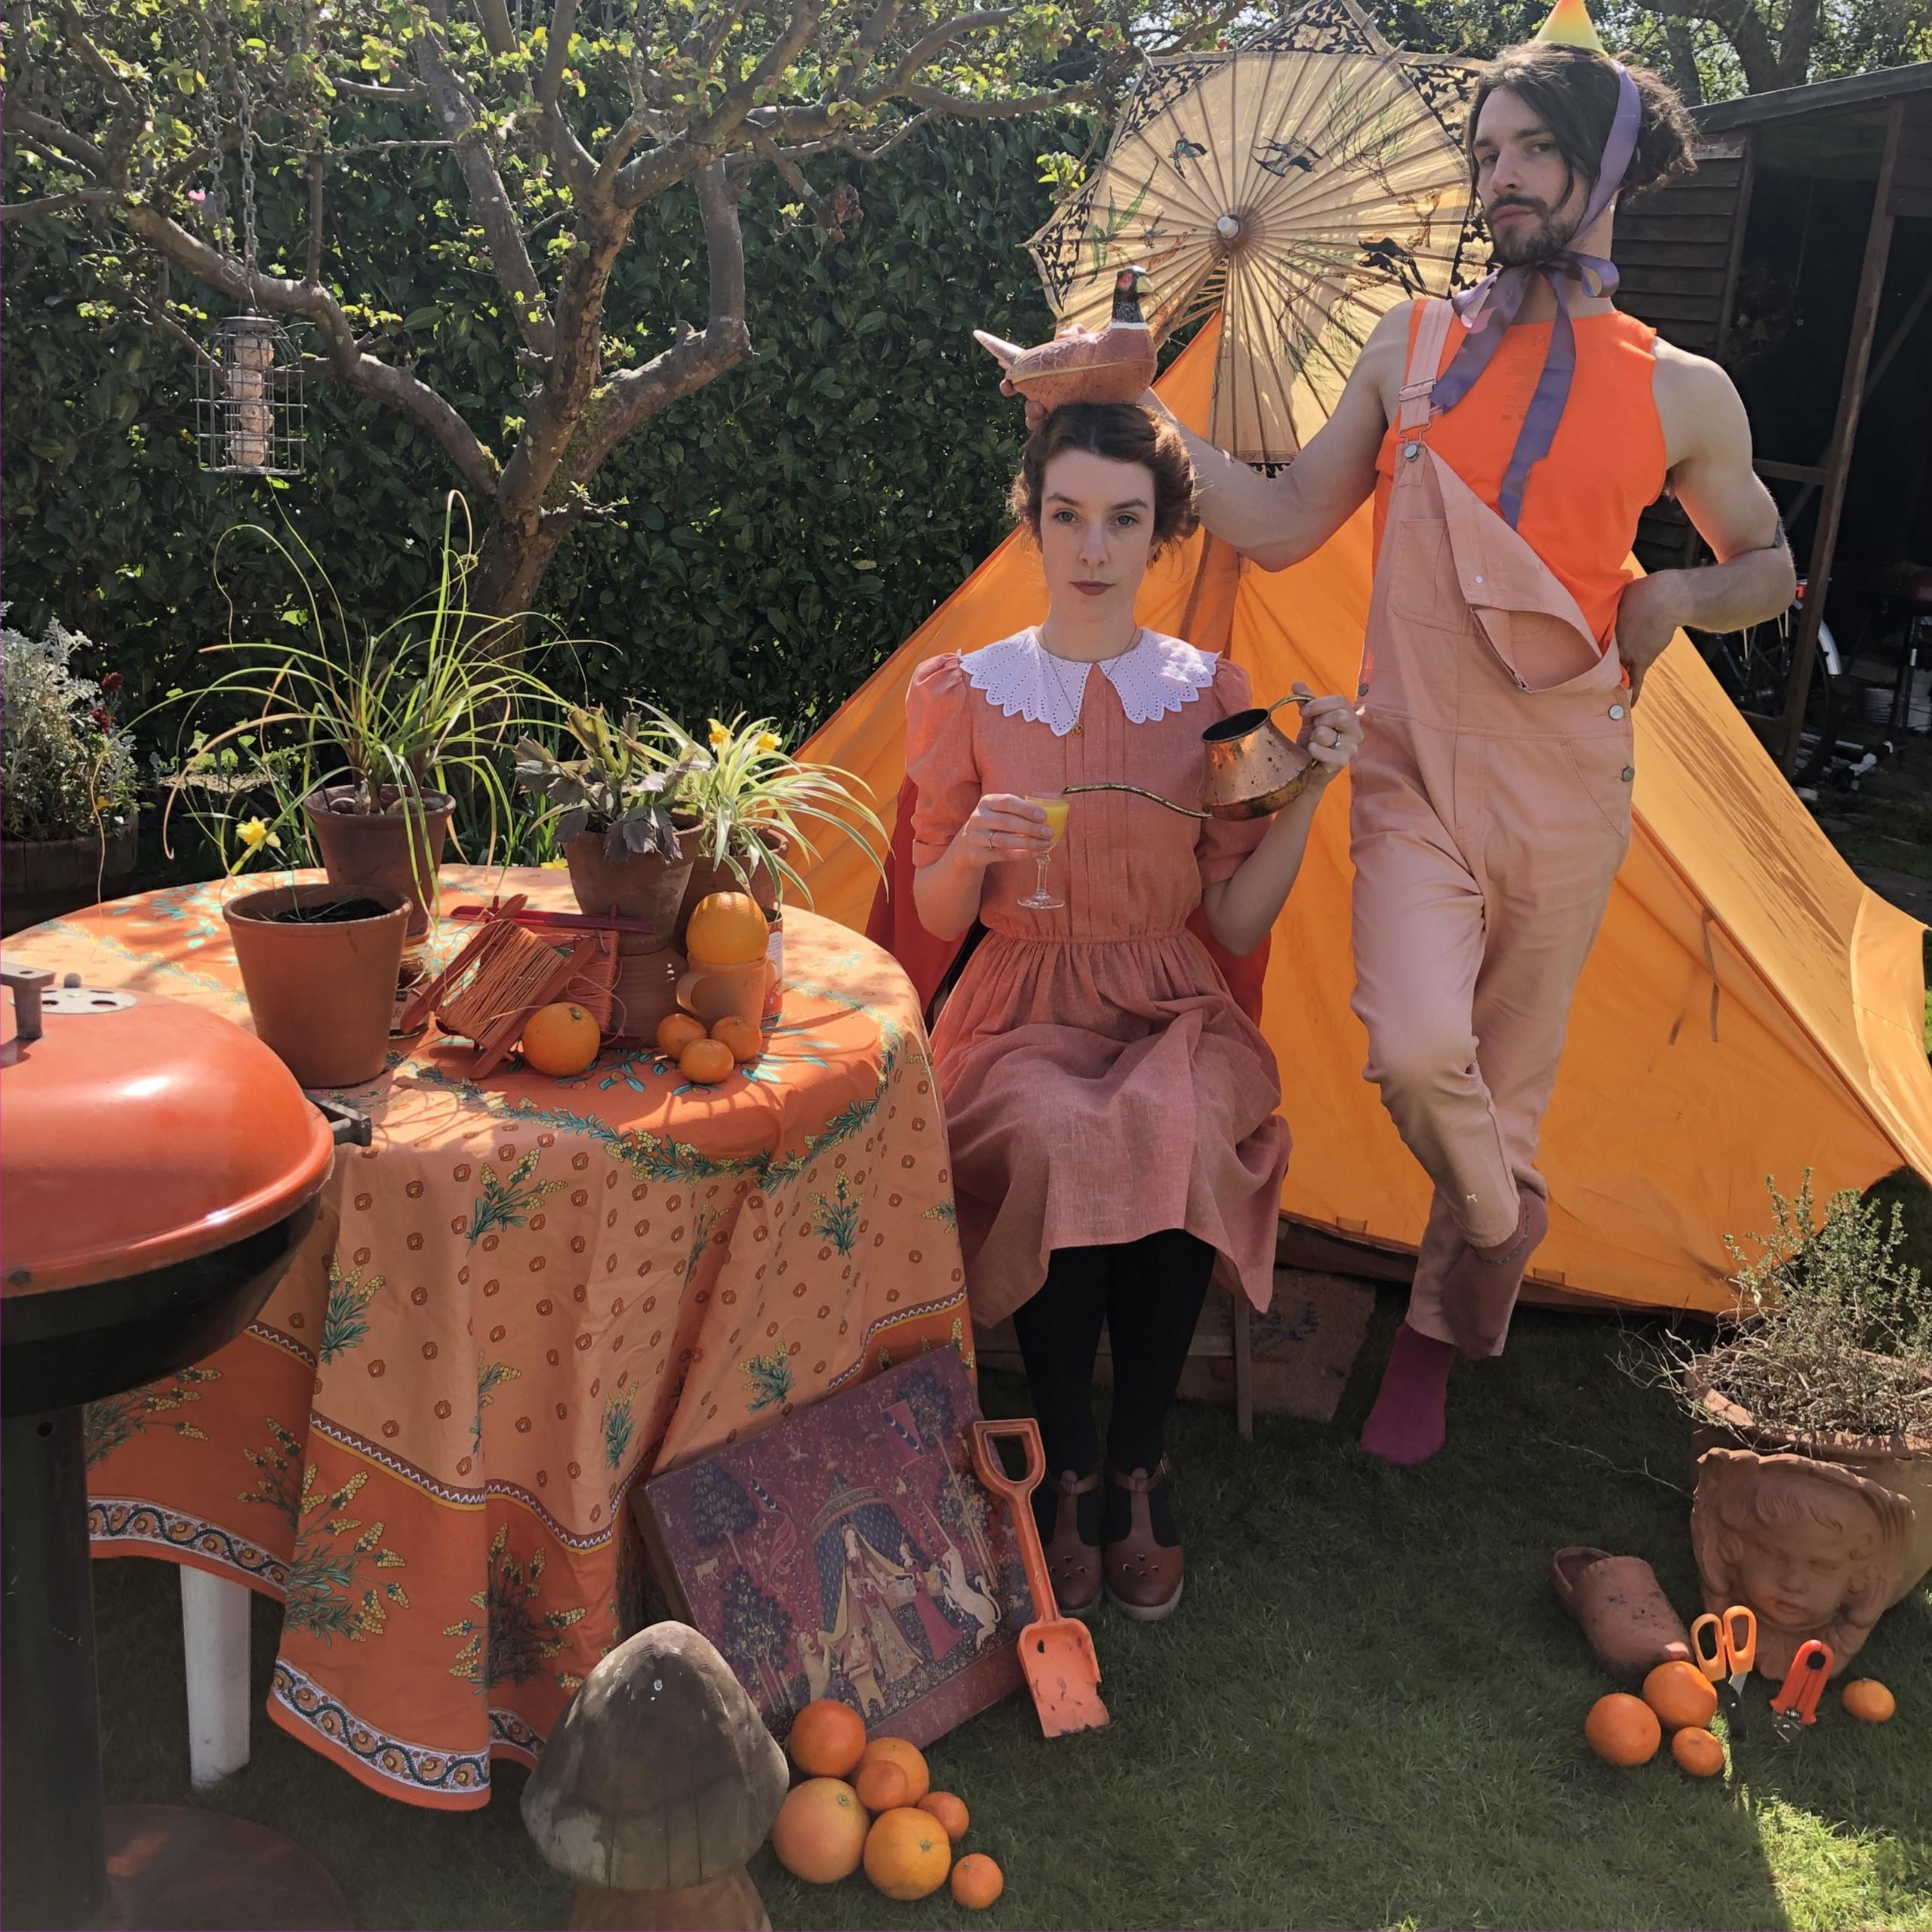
1732,511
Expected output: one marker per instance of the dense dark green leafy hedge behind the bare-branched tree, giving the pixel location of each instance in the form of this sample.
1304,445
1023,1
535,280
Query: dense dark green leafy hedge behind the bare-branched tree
781,532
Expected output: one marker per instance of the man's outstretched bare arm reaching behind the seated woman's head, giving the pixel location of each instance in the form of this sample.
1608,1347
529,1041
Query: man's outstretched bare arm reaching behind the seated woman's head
1284,519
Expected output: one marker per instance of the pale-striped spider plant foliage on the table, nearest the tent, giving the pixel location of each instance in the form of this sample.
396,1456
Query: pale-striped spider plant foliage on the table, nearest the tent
758,809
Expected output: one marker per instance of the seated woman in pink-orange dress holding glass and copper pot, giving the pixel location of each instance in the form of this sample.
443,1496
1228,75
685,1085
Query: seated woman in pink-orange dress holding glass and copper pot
1112,1112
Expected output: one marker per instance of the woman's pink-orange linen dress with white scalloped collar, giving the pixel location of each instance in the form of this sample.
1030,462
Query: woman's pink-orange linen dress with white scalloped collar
1100,1083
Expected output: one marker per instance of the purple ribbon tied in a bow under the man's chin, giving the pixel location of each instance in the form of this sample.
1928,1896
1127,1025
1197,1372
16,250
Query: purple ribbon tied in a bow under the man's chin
1492,304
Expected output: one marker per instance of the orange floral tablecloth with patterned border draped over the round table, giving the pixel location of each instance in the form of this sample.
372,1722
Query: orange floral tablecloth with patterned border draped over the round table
521,1299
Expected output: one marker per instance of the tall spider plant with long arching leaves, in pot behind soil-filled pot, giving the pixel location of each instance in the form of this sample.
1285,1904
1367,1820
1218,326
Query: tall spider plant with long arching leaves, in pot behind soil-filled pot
364,739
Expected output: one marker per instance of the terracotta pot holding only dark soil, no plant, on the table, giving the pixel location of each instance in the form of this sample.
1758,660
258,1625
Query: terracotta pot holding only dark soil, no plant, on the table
320,996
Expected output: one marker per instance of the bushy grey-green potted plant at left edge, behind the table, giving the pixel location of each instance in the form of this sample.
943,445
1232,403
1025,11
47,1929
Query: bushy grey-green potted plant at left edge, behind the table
71,789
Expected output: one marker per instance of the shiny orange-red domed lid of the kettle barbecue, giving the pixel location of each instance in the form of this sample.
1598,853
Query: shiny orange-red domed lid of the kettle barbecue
140,1131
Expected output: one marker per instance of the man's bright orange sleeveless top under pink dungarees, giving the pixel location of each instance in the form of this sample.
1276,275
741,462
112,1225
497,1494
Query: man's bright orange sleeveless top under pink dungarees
1605,469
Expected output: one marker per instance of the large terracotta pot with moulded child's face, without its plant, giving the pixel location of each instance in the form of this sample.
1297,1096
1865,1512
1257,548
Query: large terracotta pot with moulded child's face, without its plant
1819,1535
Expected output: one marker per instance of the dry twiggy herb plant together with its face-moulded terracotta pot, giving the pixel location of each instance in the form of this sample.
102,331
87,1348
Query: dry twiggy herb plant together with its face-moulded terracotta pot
1813,1423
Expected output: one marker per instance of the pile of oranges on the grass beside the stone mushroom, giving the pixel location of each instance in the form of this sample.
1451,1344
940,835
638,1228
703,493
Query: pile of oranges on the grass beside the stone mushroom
870,1804
